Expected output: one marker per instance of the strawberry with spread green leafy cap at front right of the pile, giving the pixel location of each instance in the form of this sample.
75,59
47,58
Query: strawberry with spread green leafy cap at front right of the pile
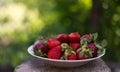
84,53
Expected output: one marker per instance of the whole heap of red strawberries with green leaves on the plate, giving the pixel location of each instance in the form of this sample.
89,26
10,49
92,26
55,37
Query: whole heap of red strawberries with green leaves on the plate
69,47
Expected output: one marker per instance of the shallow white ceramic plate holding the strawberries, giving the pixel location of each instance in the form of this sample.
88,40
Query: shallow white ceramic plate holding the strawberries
63,63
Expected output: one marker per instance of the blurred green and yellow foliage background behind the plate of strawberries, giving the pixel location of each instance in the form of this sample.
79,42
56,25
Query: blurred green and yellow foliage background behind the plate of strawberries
22,22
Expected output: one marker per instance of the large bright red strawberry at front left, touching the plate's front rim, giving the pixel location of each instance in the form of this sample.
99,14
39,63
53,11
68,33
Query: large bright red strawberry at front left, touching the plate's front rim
54,53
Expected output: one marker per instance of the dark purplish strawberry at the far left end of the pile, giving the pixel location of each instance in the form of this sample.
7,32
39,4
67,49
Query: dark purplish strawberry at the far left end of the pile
41,47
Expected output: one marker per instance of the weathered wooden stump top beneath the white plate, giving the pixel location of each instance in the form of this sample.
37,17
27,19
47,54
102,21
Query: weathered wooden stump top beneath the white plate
35,65
